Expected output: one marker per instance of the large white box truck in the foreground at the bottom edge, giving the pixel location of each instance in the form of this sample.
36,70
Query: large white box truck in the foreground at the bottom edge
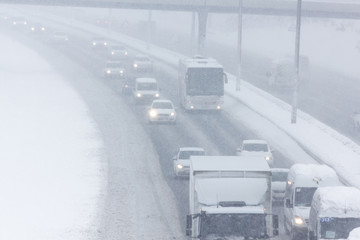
230,198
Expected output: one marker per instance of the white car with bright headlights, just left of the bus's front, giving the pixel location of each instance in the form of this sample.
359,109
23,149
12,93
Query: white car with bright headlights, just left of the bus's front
162,111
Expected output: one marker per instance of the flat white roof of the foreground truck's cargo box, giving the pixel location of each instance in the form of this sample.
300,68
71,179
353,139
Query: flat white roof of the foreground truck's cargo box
229,163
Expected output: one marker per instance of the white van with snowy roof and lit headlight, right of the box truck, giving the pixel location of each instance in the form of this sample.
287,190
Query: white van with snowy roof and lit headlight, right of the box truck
302,182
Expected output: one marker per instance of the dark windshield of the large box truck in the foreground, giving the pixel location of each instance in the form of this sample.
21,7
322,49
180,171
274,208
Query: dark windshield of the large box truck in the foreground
253,226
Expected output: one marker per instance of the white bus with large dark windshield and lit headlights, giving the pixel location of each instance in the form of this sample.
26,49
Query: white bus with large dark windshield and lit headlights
201,83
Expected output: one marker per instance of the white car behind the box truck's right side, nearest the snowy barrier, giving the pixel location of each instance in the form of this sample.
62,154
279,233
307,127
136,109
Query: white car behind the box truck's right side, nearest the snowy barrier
256,148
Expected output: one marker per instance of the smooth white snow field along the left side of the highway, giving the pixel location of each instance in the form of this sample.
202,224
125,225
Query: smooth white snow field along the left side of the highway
51,171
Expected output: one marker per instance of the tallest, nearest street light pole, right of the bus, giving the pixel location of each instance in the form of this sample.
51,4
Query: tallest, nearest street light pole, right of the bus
297,63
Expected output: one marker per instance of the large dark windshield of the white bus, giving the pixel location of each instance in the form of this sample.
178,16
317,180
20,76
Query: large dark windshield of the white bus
205,81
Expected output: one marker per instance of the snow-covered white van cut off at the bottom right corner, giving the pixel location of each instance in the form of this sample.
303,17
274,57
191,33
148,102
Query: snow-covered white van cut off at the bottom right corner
334,213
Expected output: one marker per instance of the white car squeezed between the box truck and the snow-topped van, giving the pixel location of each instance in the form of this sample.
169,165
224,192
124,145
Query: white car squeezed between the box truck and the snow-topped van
278,183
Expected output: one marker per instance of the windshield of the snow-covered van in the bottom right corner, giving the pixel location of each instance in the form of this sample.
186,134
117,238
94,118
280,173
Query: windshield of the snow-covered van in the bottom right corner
337,228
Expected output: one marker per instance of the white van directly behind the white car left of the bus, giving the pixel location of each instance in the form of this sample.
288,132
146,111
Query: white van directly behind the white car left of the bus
145,90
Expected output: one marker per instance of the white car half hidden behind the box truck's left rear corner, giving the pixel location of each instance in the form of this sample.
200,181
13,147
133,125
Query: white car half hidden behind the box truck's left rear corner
181,160
